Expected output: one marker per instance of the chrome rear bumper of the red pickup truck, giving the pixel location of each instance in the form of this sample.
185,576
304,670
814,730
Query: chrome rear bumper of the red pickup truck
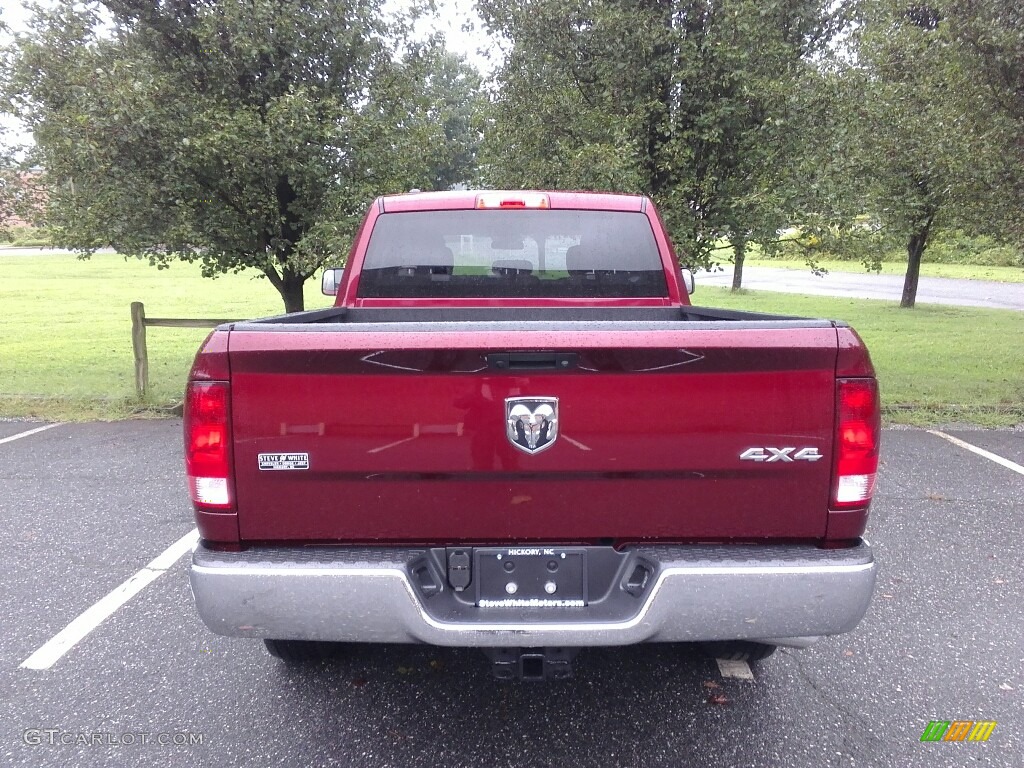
783,594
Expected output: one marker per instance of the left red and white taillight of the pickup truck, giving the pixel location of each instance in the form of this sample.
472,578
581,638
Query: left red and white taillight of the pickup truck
208,444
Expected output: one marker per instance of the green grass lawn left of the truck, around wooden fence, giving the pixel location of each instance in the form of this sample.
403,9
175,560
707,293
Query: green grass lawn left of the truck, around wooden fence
66,328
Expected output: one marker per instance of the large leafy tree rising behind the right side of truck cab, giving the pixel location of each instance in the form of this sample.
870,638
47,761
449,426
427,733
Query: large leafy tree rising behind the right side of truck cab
692,102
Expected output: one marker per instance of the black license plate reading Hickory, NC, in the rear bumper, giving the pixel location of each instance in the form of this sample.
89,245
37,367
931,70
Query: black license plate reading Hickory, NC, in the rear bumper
531,577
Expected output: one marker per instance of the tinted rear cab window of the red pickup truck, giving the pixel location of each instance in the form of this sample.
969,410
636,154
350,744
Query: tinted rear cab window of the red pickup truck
513,254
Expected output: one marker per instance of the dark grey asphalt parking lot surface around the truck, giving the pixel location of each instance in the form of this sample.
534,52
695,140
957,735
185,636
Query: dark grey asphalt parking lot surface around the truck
88,506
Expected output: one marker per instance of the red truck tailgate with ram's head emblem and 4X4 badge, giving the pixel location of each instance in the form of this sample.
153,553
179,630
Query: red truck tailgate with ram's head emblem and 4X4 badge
404,432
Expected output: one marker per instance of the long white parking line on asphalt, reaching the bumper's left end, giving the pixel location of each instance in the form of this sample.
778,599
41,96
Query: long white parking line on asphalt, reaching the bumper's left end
51,653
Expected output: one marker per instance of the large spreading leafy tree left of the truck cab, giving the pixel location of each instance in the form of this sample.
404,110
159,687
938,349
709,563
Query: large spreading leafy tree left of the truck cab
241,136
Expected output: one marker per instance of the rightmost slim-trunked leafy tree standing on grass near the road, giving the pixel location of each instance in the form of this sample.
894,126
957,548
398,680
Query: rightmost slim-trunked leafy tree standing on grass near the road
914,147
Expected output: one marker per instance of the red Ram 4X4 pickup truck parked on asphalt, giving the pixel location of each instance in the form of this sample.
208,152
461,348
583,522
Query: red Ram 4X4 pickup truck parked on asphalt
514,432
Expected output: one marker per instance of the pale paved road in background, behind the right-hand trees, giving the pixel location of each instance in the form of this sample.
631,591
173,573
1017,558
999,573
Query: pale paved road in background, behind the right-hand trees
871,286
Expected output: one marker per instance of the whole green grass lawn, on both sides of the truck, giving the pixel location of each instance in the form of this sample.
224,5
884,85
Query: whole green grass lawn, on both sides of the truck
66,339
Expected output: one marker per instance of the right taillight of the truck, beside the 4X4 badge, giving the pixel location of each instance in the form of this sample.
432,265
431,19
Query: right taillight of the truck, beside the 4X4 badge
859,429
